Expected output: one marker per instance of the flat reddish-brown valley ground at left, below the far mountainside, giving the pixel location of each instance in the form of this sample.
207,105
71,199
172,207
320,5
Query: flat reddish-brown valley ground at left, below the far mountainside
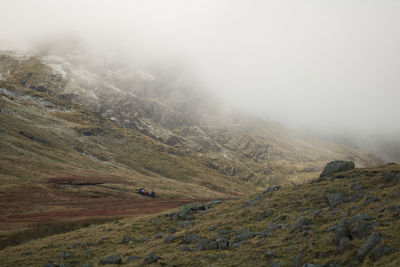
47,202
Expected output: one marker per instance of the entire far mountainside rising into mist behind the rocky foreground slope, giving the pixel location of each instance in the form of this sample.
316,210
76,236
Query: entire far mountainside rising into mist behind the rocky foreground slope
78,140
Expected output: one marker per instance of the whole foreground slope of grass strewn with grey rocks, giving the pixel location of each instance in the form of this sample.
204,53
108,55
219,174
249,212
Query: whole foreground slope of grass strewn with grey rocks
344,219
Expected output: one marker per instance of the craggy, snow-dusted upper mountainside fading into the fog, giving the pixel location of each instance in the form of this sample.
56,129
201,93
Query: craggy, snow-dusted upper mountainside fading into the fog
166,108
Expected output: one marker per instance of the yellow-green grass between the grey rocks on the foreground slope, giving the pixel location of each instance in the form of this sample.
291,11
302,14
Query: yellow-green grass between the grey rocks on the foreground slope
287,205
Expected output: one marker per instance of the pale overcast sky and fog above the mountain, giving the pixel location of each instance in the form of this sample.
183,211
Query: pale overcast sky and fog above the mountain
323,65
